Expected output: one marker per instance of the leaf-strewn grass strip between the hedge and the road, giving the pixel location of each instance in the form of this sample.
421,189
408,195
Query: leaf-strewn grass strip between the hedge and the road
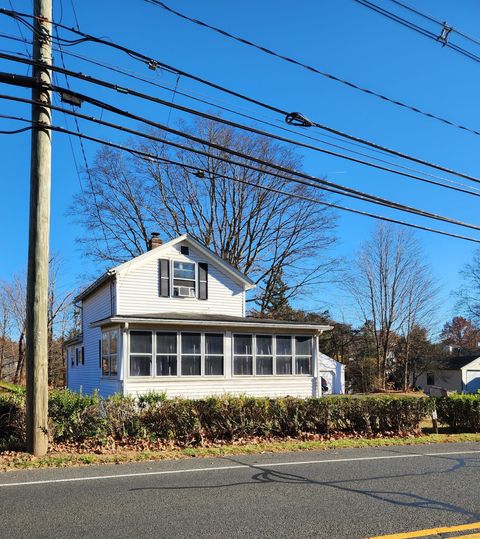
19,461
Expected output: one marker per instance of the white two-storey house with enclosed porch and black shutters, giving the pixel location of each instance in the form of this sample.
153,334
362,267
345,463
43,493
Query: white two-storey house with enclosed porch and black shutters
173,320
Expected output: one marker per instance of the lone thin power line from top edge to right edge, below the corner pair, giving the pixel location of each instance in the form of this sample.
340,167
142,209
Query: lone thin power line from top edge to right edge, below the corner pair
312,69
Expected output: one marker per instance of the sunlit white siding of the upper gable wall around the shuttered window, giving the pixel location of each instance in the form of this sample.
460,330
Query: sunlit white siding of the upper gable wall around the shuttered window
138,292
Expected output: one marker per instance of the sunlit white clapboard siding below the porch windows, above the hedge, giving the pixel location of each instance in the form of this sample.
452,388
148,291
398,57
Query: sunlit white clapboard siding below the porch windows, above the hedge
272,386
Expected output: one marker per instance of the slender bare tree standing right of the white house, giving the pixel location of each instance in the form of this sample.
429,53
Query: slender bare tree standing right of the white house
393,289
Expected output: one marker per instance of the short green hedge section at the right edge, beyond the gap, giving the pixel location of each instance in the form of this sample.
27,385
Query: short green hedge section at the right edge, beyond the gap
460,412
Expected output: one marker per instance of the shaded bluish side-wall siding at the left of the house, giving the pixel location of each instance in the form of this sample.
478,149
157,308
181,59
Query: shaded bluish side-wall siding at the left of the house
87,378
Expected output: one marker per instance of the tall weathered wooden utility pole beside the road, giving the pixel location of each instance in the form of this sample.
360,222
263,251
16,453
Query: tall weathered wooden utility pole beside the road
39,232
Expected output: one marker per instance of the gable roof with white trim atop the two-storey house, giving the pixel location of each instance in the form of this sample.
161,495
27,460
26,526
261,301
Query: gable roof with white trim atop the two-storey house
235,274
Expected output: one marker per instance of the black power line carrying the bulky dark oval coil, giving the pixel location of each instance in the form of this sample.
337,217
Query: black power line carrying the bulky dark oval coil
153,64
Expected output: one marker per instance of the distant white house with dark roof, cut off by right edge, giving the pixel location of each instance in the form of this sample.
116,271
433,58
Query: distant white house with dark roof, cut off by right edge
461,374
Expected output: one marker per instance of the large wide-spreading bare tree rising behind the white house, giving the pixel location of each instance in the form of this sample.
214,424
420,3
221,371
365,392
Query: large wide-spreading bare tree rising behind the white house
251,225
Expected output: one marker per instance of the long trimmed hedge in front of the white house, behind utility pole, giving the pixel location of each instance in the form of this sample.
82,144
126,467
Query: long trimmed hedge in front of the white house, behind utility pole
77,418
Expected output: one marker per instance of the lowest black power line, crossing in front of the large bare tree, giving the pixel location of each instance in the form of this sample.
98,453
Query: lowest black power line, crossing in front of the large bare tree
151,157
